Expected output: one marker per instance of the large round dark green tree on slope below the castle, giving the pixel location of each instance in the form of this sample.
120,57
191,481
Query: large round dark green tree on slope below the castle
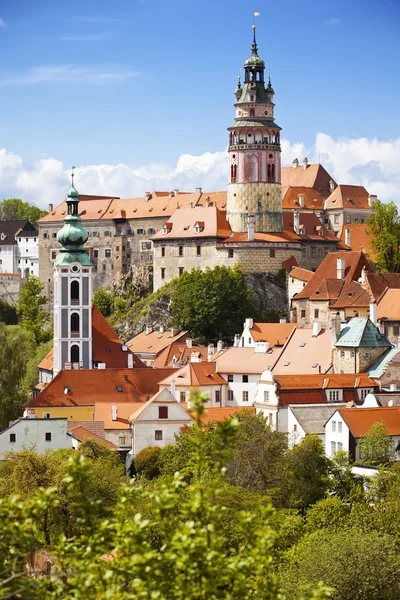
212,302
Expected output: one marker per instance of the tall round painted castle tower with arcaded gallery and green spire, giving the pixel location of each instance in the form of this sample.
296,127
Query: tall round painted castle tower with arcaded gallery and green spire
254,153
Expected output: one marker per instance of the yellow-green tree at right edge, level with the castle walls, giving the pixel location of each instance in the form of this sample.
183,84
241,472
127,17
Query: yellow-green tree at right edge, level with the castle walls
384,224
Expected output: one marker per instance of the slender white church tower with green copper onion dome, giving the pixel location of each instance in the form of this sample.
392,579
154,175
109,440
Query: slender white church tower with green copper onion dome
72,293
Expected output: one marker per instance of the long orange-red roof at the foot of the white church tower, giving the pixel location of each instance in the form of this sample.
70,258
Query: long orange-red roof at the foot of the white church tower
85,387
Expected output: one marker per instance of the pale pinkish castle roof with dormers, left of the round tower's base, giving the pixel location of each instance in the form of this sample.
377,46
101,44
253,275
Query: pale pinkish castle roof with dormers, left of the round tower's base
183,224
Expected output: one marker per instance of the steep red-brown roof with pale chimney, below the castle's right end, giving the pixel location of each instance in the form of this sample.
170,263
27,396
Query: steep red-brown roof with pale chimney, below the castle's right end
354,262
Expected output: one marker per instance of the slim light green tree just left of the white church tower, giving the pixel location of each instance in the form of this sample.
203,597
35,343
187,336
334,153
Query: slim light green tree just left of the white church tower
32,315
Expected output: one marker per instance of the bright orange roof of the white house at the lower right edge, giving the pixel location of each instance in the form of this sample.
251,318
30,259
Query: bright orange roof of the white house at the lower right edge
360,420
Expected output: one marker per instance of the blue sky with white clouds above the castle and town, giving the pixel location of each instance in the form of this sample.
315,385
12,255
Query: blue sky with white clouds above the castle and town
137,94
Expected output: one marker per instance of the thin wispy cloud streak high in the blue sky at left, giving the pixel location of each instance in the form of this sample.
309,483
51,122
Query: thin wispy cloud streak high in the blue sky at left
99,75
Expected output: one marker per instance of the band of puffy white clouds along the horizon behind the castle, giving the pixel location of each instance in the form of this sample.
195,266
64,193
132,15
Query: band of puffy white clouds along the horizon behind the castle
372,163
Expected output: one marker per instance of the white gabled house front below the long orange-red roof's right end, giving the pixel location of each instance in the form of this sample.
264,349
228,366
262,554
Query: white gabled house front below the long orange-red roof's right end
157,421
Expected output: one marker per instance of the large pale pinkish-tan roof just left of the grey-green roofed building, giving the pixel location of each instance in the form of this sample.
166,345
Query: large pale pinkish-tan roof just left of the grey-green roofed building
305,353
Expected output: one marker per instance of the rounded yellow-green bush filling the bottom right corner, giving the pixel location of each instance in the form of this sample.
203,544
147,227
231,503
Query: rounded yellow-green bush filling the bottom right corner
357,564
